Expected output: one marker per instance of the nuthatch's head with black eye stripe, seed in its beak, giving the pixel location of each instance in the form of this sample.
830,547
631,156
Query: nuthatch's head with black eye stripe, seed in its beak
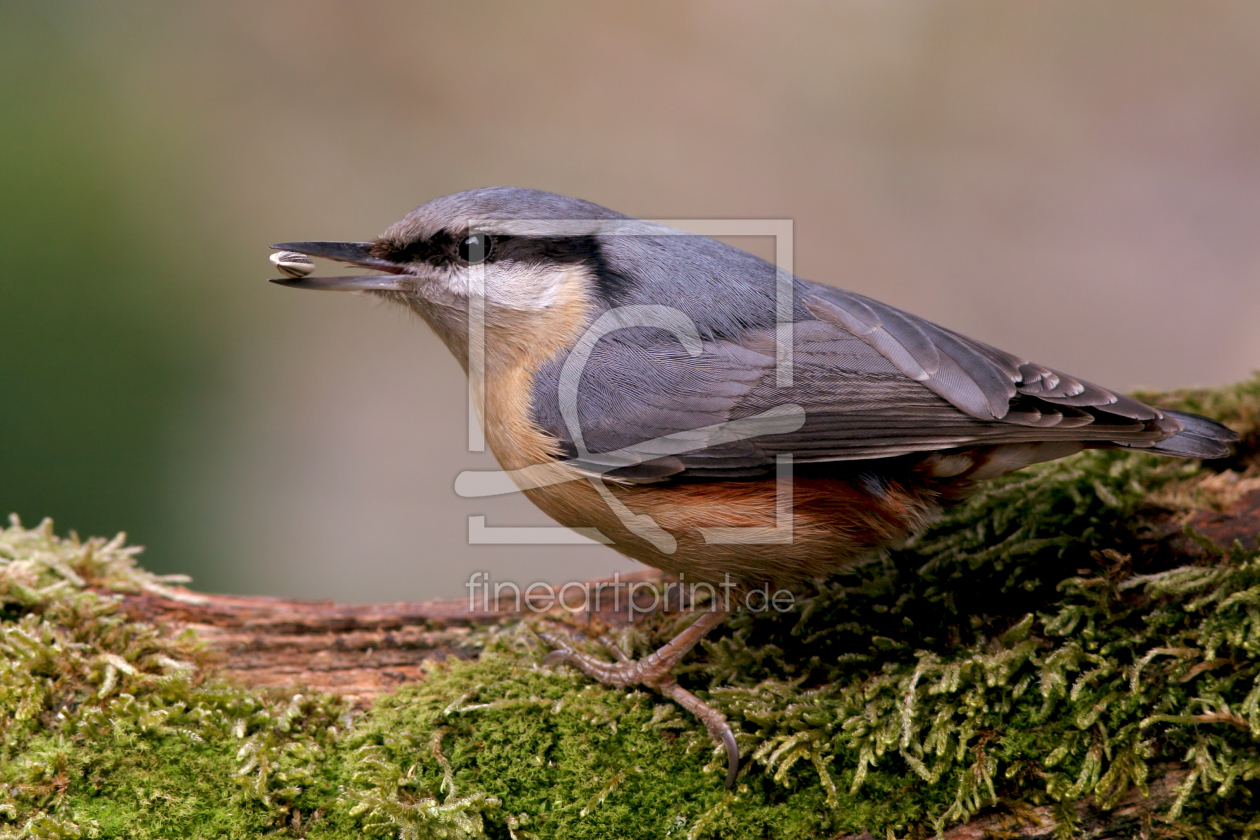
534,264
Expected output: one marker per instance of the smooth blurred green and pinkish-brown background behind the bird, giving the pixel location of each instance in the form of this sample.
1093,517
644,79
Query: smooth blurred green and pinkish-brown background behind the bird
1072,181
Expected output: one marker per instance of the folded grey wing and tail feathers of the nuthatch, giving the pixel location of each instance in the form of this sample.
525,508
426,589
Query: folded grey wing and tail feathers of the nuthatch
874,382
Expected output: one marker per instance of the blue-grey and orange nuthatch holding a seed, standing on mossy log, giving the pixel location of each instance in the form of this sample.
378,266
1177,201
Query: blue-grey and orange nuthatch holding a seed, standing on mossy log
710,415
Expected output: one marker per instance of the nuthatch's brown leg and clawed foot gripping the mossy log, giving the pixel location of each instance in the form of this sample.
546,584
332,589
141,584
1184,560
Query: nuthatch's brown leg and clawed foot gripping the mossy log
657,672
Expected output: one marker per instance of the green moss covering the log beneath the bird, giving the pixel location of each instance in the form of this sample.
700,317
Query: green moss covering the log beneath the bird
1053,642
